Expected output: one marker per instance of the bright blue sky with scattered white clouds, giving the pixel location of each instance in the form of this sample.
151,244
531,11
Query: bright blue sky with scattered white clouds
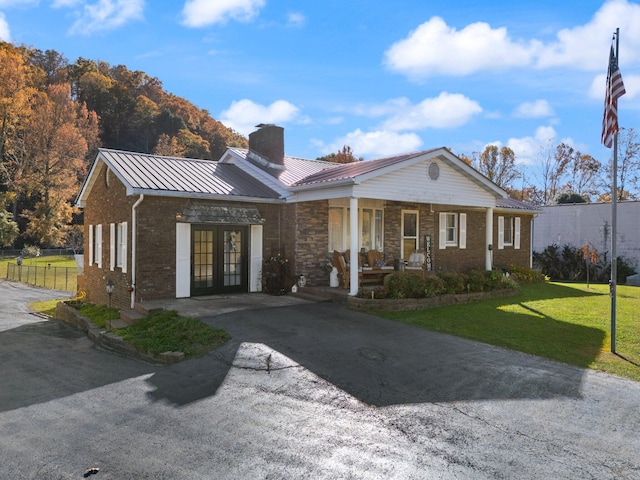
381,77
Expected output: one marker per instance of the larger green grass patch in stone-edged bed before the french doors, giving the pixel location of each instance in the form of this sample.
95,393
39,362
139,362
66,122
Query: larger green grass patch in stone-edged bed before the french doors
167,331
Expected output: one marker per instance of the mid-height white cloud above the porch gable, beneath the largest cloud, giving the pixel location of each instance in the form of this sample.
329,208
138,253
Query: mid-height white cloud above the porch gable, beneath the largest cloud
447,110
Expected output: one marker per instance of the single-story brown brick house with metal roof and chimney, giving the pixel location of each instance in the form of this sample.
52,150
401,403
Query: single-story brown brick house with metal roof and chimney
163,227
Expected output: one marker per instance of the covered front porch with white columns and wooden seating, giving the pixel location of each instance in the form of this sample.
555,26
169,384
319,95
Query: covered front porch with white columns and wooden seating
447,237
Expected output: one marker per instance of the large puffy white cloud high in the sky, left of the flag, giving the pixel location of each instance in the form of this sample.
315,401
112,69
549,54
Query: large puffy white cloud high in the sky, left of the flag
435,48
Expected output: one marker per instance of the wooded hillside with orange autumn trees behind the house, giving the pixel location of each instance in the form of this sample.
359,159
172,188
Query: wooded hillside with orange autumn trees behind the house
54,115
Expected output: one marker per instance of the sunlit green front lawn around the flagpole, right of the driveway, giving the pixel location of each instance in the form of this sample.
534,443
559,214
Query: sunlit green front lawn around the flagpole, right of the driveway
565,322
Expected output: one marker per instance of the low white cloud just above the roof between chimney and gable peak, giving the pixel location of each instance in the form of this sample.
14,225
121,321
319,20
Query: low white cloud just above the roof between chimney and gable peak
376,144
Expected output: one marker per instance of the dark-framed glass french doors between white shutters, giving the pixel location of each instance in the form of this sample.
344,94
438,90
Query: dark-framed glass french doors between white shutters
219,259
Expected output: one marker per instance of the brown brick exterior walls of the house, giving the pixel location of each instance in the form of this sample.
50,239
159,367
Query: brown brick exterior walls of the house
297,231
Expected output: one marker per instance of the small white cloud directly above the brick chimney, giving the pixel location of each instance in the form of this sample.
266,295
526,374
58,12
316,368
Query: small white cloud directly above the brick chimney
244,115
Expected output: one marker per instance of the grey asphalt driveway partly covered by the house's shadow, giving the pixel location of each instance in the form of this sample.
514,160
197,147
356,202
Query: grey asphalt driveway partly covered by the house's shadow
308,391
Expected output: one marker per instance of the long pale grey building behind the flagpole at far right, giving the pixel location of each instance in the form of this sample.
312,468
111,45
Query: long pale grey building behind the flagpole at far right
579,224
